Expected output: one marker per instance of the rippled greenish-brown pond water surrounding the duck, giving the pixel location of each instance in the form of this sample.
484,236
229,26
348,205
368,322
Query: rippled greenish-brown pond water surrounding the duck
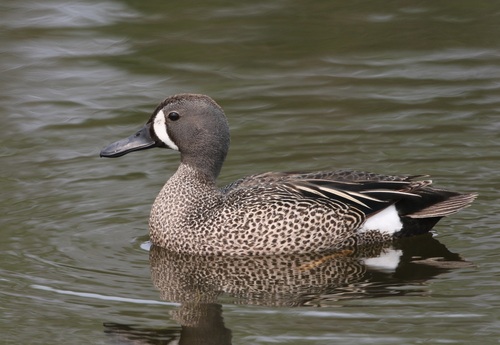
400,88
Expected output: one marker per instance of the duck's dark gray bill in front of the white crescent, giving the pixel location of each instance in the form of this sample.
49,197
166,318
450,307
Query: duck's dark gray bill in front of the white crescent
141,140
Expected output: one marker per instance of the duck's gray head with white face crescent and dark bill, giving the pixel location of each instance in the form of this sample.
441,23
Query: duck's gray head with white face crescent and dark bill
192,124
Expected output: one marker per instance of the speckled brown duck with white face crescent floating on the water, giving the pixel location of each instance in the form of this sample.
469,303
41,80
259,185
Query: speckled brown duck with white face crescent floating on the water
273,212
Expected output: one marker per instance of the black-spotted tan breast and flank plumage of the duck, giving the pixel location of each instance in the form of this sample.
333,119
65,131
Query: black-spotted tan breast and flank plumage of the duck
257,219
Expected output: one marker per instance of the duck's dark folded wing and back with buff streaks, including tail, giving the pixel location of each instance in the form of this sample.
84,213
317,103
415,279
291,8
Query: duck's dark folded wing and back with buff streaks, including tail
418,205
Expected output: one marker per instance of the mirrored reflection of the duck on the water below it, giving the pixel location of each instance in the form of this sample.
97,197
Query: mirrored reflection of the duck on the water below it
198,282
